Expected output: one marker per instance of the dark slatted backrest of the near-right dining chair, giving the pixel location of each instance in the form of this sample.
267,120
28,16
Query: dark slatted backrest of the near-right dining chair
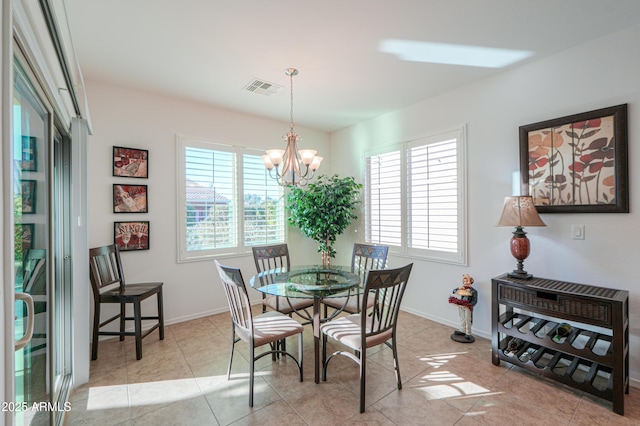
386,288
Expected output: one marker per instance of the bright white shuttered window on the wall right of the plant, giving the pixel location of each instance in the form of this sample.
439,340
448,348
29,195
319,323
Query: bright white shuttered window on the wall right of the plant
414,197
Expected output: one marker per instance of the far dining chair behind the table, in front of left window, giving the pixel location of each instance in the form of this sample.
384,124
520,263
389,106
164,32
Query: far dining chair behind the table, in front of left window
272,257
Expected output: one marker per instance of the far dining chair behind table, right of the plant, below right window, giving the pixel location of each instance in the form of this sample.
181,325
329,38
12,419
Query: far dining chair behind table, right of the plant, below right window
364,258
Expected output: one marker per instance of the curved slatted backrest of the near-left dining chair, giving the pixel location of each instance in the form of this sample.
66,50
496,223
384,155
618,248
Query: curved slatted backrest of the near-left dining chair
238,299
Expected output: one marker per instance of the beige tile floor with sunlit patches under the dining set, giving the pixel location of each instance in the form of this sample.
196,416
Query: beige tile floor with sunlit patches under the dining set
182,381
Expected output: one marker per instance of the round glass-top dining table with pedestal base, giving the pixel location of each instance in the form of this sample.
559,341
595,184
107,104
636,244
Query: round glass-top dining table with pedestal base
315,282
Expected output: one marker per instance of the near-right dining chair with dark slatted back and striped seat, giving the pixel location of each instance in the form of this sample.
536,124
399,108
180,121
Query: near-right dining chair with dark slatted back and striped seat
372,326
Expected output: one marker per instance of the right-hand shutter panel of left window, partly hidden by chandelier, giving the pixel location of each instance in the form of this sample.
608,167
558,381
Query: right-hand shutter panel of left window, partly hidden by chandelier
263,204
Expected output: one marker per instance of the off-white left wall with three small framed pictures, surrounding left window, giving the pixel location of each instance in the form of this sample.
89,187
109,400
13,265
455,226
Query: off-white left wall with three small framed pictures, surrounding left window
130,118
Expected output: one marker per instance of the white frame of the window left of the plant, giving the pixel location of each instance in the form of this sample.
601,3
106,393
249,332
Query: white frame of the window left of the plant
239,249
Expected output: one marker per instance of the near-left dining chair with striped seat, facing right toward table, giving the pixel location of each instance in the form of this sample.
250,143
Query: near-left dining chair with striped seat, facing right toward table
265,329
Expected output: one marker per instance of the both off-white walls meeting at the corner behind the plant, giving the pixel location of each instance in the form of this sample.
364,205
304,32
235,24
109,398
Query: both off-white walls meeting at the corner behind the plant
590,76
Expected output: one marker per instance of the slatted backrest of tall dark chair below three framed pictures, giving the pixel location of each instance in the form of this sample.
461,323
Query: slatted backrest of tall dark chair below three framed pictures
105,269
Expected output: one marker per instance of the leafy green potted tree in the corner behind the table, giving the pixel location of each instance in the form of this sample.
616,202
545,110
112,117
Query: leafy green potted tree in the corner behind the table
324,210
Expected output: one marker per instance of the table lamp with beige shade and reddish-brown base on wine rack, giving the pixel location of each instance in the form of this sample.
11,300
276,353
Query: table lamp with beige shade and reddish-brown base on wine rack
519,211
